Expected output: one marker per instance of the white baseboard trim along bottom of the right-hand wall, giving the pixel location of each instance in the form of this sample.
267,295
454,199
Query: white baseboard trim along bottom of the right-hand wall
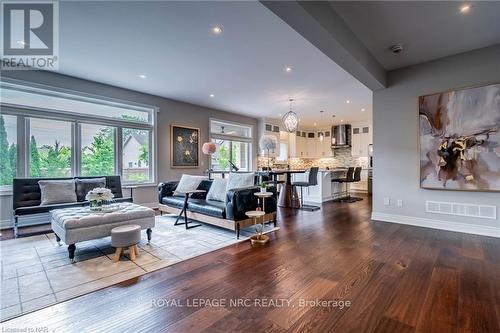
437,224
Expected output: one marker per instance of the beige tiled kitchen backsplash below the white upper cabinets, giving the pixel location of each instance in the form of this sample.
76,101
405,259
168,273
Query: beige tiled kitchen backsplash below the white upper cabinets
342,158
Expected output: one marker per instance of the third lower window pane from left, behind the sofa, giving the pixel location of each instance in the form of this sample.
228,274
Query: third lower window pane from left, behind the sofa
98,150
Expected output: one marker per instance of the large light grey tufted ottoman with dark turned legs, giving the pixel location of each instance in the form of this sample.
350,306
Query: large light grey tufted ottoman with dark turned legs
78,224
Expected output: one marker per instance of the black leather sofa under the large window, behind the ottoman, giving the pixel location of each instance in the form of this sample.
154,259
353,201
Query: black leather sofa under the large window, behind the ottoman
27,198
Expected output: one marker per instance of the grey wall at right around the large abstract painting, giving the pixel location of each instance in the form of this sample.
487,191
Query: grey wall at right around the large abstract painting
395,120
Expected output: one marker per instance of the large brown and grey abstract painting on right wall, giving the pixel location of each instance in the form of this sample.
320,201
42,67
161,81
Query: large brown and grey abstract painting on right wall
460,139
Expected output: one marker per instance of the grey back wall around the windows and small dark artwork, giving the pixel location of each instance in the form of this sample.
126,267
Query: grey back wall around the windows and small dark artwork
170,112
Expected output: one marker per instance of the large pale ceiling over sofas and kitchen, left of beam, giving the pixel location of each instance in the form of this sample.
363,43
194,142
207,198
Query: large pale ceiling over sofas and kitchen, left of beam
244,66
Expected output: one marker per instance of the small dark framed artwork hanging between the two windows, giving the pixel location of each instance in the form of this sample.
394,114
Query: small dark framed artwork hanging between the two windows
185,147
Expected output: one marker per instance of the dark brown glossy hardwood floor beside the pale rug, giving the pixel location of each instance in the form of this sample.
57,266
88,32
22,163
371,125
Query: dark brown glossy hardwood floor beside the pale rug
397,279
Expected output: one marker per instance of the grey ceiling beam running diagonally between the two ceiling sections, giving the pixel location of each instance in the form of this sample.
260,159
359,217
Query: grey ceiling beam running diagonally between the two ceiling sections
318,22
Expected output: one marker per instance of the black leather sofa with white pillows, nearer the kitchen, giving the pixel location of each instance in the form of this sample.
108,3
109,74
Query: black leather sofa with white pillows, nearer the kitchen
229,214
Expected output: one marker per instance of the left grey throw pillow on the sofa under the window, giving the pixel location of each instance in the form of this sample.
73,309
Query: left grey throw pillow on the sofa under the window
57,191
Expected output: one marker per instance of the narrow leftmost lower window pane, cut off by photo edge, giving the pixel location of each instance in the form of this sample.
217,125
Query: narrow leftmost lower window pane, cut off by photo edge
8,149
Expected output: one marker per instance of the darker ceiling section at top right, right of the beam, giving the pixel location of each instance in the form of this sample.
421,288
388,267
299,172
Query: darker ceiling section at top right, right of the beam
427,29
